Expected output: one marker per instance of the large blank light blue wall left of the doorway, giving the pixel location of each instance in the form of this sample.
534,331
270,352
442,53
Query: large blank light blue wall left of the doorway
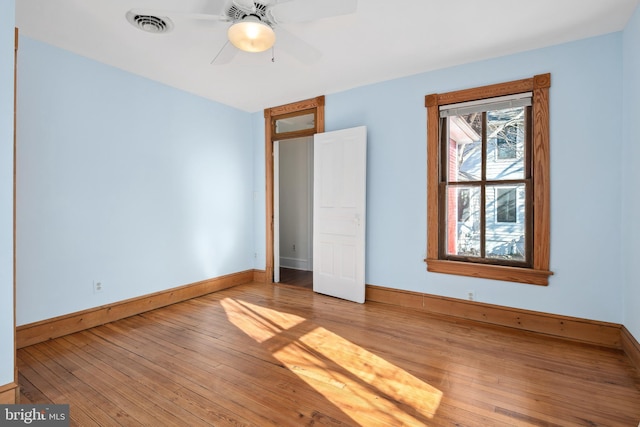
125,181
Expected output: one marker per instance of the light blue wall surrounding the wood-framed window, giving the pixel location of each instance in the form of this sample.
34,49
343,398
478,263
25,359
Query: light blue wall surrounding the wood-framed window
586,94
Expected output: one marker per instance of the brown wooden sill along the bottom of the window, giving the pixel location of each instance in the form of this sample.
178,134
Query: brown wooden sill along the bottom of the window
486,271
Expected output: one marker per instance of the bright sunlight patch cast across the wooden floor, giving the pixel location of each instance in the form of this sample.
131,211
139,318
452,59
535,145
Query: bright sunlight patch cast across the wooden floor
361,384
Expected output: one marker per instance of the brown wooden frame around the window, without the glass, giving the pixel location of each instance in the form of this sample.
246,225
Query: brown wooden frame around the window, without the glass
539,272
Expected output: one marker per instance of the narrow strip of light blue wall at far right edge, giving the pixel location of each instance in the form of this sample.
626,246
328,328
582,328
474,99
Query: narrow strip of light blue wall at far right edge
631,174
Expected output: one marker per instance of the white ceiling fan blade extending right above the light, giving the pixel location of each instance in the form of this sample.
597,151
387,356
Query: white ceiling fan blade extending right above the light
310,10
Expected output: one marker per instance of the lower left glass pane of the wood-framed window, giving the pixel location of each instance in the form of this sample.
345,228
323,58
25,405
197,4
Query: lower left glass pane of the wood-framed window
463,221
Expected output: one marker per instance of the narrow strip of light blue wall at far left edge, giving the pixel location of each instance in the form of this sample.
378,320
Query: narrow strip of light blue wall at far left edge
7,24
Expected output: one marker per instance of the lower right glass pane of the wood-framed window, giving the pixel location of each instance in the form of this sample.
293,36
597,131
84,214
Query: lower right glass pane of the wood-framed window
505,222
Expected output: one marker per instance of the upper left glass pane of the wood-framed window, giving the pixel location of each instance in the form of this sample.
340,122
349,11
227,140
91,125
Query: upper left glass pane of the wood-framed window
464,150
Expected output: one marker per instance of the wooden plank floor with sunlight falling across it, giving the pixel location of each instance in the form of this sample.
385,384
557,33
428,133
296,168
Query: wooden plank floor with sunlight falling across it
261,355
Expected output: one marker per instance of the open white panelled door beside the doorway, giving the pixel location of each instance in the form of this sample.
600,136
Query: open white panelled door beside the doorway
339,206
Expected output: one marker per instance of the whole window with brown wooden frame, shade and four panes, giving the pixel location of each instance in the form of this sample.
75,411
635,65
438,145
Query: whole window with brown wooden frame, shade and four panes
488,181
